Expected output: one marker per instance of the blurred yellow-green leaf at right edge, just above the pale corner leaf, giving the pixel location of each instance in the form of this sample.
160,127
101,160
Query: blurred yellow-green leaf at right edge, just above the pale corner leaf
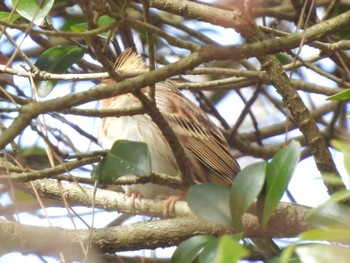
327,234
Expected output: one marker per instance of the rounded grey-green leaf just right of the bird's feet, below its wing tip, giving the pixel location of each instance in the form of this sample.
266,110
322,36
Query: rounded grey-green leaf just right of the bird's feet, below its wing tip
210,202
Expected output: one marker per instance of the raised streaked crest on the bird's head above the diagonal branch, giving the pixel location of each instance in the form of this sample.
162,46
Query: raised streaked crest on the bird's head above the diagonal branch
129,60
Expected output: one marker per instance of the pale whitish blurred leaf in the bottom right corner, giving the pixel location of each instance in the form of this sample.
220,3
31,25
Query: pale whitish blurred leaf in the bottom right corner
321,253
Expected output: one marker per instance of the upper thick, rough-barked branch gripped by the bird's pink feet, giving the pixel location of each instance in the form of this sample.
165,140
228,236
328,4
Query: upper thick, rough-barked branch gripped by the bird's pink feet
287,214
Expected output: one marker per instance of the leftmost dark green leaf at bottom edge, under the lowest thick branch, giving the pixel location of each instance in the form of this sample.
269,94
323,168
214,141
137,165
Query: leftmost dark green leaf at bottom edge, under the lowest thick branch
188,250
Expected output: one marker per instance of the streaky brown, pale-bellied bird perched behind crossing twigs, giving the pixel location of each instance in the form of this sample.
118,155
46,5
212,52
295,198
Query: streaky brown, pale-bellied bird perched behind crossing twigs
207,151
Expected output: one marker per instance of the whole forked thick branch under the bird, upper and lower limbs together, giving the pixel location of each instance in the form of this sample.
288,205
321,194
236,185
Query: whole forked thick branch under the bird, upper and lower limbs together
288,221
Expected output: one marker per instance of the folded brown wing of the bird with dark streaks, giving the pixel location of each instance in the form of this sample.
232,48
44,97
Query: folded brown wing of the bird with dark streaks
196,132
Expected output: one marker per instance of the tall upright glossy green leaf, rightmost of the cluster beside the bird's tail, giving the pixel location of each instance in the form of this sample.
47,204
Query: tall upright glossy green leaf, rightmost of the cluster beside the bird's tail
278,174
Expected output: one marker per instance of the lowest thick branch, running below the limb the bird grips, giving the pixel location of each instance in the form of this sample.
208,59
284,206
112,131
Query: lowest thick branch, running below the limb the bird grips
147,235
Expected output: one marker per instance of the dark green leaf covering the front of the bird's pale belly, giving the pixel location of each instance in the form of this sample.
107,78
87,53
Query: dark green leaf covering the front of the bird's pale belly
125,158
